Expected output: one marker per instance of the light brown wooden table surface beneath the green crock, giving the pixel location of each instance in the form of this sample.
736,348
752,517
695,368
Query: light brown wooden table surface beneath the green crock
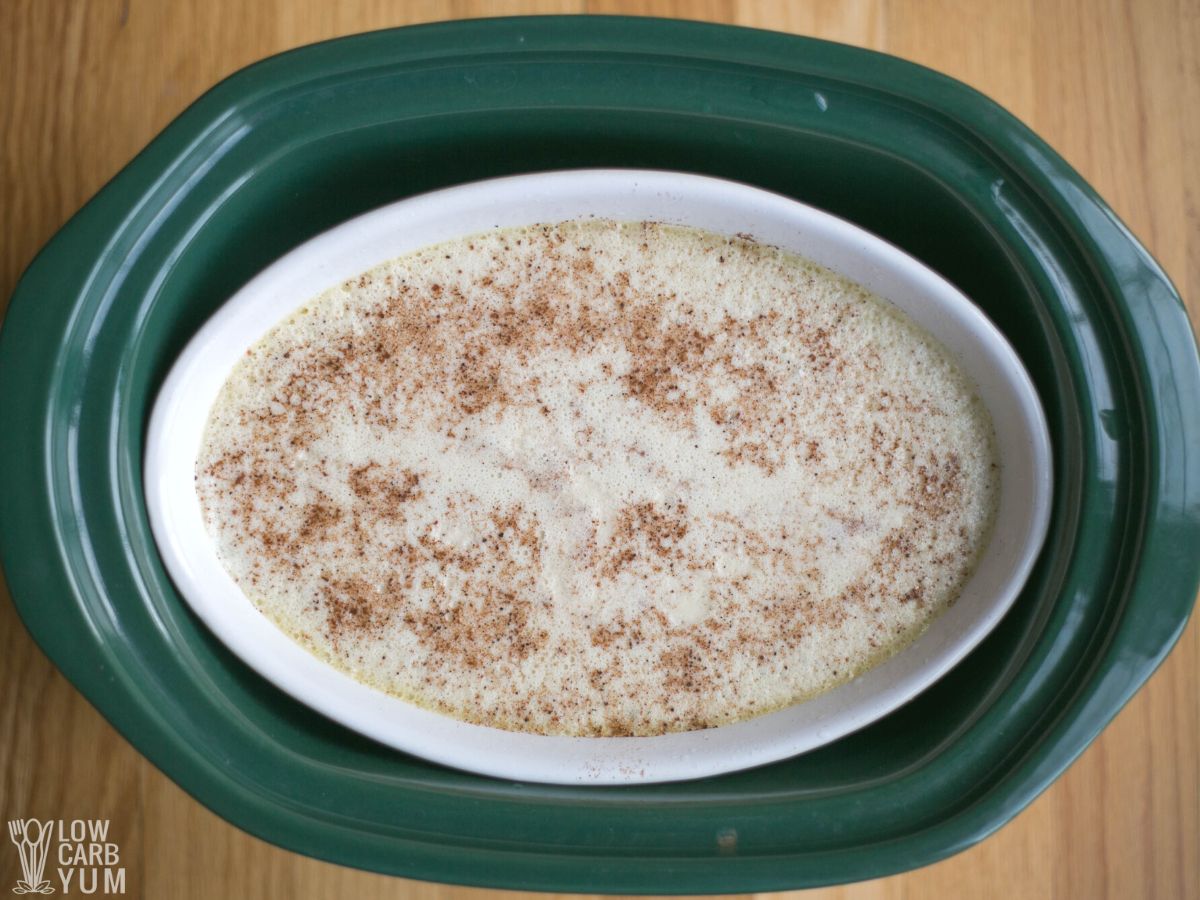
1114,87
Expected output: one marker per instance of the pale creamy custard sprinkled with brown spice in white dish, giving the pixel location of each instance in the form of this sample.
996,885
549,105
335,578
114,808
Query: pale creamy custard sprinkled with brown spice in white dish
599,478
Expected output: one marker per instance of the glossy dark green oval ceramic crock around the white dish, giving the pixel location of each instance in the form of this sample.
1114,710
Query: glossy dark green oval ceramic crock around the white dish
293,146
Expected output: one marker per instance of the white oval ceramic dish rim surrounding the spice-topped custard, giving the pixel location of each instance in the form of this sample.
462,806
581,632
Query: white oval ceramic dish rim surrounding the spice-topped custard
183,406
